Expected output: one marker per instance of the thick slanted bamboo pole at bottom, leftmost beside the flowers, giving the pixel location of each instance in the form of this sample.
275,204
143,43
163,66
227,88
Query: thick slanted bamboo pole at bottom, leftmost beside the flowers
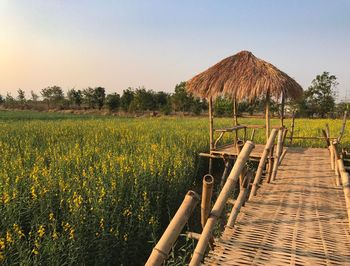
161,250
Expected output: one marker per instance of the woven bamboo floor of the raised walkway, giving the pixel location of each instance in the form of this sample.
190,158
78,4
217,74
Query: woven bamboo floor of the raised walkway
299,219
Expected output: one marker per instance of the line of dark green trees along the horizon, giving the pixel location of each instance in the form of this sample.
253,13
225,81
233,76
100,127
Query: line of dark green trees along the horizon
319,100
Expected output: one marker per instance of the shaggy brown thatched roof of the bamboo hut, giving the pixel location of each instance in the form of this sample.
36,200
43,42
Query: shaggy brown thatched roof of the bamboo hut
245,77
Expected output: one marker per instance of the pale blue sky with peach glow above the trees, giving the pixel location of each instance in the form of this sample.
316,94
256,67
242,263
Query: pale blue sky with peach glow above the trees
157,44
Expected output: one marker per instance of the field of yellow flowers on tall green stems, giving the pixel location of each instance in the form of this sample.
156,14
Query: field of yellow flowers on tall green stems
98,190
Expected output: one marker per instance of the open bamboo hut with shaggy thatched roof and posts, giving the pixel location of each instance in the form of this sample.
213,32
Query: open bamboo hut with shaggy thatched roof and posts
242,77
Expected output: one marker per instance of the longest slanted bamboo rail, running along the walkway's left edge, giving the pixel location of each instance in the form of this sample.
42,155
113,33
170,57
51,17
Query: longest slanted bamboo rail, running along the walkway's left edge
220,203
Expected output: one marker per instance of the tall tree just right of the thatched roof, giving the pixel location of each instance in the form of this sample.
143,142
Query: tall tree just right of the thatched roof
320,96
